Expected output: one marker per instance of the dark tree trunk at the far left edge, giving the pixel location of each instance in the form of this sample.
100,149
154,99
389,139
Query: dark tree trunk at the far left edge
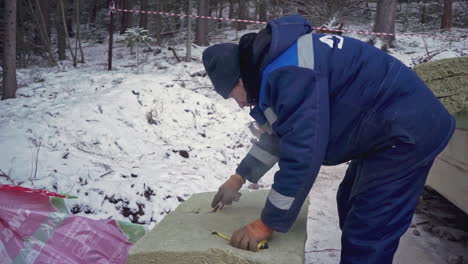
9,51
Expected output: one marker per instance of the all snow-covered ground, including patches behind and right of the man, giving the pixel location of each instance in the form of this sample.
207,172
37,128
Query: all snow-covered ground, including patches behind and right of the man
133,146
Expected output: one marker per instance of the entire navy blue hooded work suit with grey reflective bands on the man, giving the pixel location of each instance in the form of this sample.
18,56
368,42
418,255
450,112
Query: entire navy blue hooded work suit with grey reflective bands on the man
326,100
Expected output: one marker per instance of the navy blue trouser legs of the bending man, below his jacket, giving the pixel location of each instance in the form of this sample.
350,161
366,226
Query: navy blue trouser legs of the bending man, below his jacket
373,219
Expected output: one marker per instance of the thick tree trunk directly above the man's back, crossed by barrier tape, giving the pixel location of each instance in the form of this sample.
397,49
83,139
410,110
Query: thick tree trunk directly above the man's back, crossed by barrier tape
385,19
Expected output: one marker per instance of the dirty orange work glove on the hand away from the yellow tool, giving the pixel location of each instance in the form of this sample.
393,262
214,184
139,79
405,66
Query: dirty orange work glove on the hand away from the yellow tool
228,192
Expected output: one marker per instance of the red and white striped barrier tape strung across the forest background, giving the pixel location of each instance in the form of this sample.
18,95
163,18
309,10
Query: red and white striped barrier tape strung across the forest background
113,9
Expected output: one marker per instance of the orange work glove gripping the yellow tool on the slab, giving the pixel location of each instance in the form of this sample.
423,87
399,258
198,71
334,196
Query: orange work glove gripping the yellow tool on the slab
250,235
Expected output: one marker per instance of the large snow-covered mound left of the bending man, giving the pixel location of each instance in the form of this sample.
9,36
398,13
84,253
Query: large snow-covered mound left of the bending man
98,143
